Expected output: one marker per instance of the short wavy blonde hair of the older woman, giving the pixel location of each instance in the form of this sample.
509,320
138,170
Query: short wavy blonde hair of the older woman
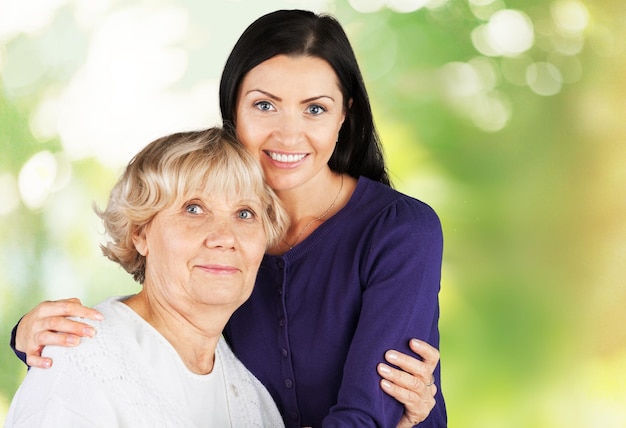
168,170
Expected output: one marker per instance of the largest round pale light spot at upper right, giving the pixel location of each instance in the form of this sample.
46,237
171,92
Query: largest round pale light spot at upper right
509,32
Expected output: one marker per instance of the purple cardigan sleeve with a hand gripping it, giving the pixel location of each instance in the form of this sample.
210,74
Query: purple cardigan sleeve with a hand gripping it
400,279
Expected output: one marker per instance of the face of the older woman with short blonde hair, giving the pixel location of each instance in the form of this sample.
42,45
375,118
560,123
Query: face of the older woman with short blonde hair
206,250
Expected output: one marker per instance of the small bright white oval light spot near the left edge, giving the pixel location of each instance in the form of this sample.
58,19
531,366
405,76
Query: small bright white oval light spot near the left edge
36,179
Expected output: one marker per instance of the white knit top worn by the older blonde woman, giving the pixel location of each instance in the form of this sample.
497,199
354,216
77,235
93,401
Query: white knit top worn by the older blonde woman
129,375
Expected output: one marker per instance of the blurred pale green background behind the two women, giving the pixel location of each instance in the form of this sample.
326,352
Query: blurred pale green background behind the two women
532,320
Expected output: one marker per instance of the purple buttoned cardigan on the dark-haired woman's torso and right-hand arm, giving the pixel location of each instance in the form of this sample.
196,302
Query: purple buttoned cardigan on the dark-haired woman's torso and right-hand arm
322,315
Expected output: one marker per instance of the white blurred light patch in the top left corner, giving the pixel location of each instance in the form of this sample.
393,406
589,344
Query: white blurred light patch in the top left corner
26,16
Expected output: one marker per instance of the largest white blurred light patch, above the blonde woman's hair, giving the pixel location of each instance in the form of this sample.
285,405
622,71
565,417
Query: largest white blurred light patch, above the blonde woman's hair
123,96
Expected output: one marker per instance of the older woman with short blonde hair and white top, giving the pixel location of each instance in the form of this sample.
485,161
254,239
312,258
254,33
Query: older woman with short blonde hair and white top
190,219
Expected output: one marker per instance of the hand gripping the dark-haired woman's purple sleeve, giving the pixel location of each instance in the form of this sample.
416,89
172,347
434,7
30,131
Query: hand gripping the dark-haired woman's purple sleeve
412,385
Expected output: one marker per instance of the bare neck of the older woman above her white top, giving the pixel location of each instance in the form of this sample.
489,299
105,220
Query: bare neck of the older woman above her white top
193,335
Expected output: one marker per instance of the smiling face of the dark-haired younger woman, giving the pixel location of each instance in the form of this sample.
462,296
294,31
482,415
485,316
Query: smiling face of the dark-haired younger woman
289,112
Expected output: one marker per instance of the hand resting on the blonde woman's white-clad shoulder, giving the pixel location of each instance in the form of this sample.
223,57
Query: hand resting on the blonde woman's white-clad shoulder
47,324
